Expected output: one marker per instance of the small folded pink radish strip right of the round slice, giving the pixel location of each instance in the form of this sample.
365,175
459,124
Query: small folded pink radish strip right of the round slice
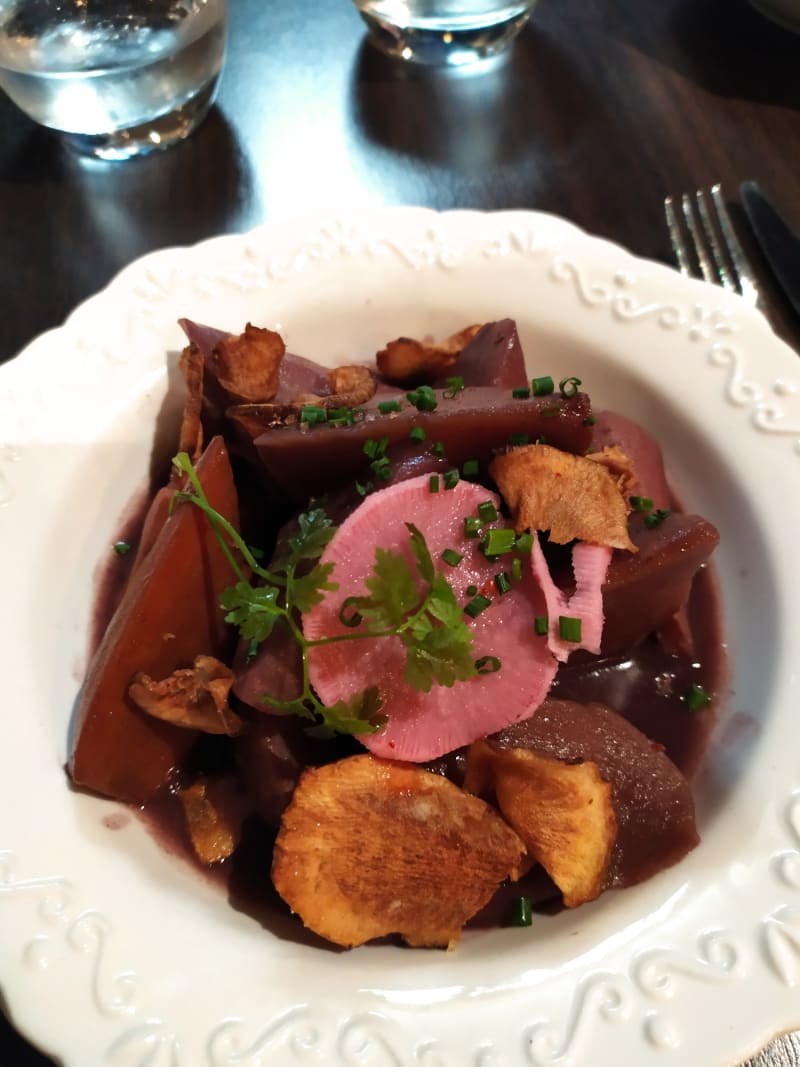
590,565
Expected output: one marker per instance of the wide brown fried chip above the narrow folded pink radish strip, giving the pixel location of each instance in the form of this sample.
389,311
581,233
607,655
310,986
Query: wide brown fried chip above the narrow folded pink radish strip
572,497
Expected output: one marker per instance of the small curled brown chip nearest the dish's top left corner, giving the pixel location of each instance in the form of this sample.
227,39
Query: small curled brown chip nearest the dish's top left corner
248,367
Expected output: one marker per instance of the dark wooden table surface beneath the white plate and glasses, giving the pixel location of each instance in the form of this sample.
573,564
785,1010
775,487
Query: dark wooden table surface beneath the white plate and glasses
600,112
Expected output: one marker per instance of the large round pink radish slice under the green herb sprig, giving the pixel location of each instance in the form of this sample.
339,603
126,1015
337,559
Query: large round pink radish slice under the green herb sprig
423,726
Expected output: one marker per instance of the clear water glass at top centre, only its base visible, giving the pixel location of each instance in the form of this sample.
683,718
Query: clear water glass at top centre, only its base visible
444,33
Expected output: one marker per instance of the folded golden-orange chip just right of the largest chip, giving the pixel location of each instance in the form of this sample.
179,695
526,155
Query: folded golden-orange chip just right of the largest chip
563,813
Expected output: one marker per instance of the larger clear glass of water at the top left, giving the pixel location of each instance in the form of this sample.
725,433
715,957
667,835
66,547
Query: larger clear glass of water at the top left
116,78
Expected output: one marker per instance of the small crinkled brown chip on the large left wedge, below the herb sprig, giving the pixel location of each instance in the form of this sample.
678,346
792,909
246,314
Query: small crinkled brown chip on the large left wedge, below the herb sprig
196,698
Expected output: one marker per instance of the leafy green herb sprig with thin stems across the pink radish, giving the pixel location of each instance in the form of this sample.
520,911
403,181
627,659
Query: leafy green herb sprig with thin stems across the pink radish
414,603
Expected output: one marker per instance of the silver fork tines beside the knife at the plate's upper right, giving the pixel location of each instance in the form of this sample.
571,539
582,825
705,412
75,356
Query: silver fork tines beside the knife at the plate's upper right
706,244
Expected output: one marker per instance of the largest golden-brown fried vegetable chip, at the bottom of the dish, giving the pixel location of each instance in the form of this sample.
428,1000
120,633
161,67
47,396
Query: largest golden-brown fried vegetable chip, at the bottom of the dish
370,848
